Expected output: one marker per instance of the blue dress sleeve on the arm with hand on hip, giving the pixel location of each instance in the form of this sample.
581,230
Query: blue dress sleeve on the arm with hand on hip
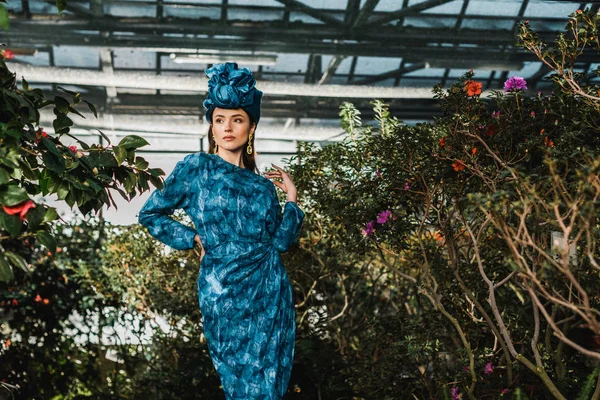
155,213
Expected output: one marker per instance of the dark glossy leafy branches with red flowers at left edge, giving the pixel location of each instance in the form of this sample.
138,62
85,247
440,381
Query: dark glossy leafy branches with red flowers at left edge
36,163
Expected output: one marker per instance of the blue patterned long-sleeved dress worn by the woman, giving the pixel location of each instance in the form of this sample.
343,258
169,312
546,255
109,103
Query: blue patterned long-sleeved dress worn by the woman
244,293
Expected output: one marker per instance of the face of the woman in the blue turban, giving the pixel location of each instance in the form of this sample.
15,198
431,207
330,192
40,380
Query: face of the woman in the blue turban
231,128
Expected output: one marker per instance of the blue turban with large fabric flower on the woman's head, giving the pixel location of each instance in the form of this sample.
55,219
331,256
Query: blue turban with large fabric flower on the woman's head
232,87
